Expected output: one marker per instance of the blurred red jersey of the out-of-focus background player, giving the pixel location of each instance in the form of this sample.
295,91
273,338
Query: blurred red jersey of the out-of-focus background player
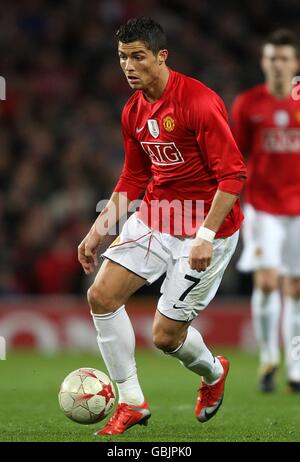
267,131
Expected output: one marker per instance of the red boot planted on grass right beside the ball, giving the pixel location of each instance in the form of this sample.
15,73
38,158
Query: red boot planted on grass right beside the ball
125,416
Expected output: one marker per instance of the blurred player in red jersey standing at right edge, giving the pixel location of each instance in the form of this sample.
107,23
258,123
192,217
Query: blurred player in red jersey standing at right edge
266,126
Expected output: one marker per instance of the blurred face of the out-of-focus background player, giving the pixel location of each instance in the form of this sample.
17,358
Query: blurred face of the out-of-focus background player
279,63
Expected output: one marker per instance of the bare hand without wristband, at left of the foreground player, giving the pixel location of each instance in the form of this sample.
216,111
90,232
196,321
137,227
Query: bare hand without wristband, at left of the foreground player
87,251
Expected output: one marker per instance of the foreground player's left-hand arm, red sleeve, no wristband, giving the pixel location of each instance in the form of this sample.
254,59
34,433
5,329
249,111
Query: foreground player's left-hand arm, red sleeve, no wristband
132,183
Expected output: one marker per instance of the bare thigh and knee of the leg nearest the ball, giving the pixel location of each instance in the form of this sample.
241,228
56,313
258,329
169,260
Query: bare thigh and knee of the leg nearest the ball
112,287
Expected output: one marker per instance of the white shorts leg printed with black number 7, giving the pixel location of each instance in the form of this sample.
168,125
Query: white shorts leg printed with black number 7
185,292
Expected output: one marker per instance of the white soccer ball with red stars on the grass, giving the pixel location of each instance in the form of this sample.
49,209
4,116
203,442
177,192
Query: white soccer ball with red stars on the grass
86,395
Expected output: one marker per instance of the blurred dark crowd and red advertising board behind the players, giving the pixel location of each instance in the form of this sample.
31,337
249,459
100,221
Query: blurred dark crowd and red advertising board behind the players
61,150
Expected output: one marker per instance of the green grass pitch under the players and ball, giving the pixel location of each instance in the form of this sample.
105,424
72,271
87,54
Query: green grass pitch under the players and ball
30,412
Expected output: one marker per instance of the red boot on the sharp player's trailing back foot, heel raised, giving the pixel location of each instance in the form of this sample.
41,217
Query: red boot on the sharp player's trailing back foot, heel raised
211,396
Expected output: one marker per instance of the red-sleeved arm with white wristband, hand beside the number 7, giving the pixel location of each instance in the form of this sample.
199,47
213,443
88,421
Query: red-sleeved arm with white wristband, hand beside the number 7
224,158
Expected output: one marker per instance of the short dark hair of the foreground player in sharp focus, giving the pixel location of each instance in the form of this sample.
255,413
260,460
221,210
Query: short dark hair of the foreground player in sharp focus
144,30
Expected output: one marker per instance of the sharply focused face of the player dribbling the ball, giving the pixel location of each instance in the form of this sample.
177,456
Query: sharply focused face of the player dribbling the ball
140,66
